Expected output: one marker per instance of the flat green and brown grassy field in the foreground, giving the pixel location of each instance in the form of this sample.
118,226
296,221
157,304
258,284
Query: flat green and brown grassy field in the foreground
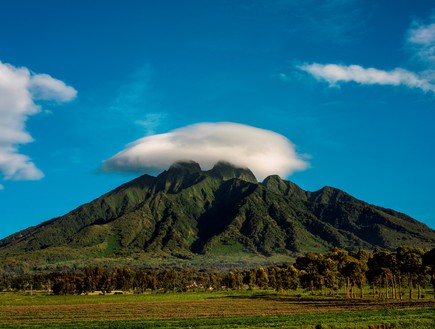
244,309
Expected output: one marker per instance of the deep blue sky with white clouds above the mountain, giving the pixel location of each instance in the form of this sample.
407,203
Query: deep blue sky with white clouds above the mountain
349,85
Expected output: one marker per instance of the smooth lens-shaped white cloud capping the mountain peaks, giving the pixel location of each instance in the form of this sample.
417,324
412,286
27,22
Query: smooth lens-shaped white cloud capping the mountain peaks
263,151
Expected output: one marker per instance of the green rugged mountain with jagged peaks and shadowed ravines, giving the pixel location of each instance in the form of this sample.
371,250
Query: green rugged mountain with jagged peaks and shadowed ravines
187,215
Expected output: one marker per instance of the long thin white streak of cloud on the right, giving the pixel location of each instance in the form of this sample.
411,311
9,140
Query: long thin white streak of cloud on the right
334,74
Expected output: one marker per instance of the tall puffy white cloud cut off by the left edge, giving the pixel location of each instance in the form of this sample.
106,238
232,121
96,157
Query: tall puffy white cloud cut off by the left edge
18,90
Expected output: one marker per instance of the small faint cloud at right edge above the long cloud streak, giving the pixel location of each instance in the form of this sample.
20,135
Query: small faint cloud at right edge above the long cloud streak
421,39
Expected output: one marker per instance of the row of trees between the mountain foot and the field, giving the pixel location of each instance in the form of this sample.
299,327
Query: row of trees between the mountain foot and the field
391,275
